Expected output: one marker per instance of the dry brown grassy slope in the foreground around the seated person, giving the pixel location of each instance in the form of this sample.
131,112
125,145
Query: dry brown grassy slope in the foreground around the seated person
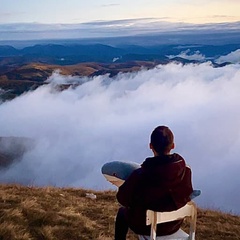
66,213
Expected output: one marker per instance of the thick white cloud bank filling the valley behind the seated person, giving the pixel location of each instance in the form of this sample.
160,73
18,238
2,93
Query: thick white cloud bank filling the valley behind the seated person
103,119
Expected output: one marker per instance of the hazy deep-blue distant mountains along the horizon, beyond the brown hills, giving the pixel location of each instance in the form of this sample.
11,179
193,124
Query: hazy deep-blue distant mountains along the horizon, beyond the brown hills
76,53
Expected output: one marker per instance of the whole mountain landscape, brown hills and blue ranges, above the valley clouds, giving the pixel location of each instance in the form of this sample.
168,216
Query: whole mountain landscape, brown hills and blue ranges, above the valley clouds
29,67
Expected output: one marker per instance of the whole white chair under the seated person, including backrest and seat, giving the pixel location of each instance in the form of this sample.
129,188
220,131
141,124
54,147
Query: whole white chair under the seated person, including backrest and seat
154,218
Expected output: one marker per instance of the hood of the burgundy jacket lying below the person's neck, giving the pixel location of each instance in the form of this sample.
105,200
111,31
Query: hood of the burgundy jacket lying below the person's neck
165,169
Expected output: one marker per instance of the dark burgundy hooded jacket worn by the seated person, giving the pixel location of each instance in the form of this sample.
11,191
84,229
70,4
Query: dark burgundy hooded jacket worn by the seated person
163,183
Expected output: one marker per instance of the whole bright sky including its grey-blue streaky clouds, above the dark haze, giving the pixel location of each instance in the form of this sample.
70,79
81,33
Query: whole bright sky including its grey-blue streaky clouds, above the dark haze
49,19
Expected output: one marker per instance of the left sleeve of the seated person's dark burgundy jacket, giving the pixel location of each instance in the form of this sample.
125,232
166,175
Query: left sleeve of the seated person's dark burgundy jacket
126,191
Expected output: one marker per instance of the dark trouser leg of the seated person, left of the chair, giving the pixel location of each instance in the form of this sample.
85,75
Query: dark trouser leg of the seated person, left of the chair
121,225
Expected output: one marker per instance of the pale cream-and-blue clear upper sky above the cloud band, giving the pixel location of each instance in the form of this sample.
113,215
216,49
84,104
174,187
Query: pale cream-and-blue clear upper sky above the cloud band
79,11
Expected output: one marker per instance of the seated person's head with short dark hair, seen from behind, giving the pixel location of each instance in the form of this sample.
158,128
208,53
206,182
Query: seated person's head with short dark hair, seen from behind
162,140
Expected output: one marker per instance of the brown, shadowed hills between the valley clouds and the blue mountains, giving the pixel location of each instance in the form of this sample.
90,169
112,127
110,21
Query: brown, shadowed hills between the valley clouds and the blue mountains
15,80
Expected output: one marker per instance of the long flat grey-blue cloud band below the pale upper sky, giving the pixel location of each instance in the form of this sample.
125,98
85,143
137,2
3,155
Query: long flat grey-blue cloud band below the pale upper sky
114,28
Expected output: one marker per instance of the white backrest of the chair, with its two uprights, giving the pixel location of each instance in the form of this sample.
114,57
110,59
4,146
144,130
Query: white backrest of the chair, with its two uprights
189,210
